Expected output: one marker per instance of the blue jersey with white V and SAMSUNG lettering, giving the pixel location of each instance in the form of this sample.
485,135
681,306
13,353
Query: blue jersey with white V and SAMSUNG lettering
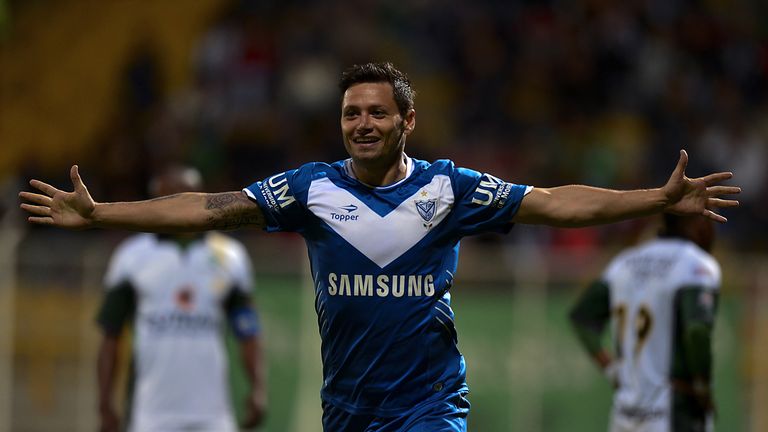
383,261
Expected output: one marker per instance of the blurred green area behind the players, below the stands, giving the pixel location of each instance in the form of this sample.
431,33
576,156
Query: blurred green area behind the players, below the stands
524,367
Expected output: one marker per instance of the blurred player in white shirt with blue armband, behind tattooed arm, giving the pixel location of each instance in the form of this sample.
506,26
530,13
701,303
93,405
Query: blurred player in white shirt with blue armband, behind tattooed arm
178,291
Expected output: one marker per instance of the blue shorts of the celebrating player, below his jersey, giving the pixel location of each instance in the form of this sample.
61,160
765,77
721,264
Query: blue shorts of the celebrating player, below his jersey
444,415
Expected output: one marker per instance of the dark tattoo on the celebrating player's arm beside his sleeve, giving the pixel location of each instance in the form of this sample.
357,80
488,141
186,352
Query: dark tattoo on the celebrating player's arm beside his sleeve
232,210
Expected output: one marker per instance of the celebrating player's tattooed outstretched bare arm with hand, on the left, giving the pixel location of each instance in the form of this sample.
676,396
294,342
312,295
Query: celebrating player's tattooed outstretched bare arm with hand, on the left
182,212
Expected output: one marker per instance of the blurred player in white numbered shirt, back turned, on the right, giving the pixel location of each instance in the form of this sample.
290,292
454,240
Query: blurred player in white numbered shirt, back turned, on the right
661,299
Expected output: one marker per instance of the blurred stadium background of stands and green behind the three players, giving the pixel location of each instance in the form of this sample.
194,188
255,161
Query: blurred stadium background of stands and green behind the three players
536,92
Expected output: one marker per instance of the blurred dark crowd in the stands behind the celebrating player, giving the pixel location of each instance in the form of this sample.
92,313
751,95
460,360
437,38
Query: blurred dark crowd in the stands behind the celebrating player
537,92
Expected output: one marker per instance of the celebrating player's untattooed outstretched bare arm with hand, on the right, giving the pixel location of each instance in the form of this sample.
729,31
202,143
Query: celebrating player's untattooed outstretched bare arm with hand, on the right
578,205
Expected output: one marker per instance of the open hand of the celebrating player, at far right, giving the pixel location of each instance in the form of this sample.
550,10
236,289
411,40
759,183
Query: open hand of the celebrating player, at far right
693,196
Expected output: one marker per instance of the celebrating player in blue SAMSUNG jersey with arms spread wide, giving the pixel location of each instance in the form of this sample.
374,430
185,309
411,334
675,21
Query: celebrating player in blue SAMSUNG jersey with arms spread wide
383,231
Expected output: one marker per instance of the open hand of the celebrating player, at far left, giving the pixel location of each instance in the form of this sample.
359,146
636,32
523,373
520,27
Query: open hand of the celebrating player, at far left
55,207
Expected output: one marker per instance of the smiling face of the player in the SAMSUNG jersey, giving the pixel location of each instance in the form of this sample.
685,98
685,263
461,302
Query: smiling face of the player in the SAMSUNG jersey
374,130
